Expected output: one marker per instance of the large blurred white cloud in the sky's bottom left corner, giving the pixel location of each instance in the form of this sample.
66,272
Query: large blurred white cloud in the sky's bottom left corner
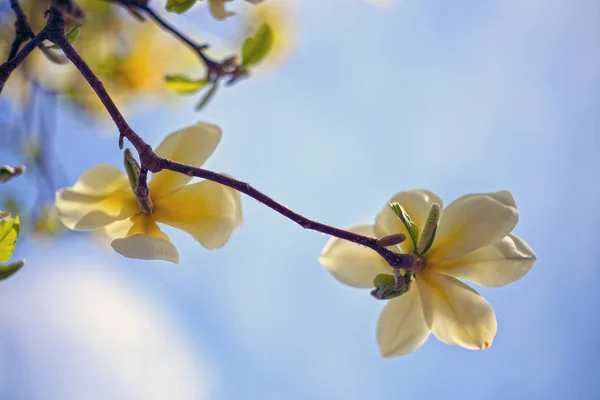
77,331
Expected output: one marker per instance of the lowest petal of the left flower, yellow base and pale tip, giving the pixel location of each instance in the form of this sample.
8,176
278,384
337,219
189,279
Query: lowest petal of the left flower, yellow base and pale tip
146,241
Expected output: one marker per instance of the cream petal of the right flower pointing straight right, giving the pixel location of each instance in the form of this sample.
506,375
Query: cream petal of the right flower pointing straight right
499,264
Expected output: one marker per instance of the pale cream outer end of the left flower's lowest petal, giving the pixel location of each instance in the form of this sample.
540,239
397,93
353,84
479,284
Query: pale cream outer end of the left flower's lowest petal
146,247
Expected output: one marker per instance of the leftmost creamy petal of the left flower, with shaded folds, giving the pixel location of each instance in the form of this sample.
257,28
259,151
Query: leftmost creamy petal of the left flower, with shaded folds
101,196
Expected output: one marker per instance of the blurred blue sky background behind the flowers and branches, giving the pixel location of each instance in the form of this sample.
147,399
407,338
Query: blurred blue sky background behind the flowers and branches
359,100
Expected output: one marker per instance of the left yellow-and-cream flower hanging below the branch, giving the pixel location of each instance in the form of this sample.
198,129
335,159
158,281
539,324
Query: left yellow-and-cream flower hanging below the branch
103,199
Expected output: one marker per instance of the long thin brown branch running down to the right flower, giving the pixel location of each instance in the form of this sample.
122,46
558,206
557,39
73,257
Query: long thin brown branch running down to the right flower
150,161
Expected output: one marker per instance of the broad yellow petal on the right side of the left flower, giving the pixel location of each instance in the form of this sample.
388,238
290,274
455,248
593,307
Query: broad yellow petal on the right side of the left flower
207,210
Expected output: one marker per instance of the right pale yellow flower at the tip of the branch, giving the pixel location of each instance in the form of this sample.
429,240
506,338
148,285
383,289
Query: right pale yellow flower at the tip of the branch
472,241
